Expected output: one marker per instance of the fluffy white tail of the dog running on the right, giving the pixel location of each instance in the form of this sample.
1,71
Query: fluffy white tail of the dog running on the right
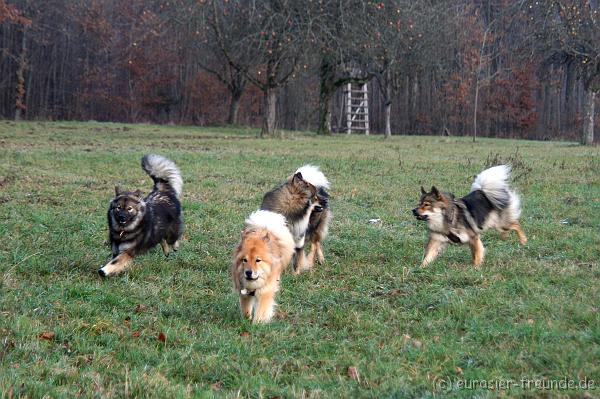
494,184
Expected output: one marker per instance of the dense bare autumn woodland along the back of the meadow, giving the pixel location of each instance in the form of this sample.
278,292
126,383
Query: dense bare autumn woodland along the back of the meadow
527,69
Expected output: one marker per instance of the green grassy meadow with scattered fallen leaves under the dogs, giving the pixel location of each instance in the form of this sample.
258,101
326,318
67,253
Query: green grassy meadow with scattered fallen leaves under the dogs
530,312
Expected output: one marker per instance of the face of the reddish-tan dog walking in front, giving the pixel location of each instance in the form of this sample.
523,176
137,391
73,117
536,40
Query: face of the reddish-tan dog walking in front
253,259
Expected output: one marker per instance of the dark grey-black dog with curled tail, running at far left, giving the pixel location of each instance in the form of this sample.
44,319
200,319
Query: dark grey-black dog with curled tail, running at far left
137,224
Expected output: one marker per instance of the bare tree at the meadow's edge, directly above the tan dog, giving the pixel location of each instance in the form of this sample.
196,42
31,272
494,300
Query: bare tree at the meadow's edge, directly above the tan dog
264,41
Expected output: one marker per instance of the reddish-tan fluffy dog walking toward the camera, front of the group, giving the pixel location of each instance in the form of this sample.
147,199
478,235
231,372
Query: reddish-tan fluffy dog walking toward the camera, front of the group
266,248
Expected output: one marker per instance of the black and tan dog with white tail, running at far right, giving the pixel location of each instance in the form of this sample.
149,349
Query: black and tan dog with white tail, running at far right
490,204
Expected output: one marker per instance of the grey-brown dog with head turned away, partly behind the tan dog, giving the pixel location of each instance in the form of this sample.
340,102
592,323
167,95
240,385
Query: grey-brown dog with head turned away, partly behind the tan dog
304,201
